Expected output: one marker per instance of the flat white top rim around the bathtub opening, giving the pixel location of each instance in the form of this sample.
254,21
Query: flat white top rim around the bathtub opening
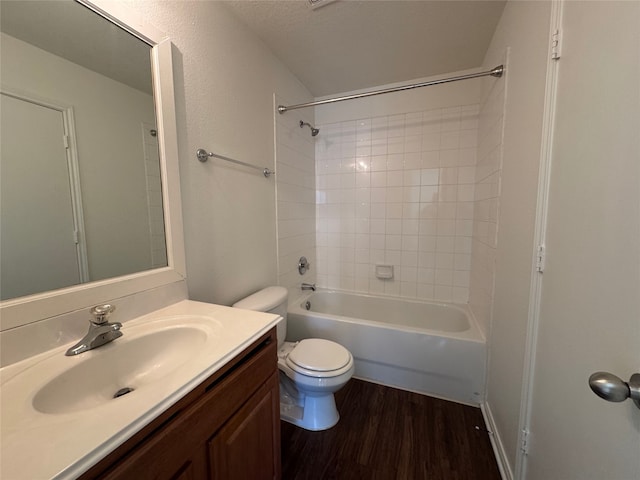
473,333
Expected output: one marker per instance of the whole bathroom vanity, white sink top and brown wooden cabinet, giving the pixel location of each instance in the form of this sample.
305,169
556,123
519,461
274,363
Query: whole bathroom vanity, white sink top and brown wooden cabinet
203,401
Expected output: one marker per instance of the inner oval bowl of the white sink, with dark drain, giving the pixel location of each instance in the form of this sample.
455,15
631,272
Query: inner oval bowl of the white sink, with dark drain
124,365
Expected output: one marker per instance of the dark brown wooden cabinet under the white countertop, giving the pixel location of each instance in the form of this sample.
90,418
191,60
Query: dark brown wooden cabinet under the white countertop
226,428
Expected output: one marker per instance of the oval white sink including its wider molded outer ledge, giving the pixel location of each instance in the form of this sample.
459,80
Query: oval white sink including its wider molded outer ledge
147,354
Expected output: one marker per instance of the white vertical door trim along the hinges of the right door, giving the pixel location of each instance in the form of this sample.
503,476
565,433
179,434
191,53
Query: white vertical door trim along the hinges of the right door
535,293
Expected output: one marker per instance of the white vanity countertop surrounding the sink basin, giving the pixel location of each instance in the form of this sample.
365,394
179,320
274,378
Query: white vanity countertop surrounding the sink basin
36,445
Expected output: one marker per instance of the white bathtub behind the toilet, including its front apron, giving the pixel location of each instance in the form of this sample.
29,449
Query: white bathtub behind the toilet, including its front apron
431,348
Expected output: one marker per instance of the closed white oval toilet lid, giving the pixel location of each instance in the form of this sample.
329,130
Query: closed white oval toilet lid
319,355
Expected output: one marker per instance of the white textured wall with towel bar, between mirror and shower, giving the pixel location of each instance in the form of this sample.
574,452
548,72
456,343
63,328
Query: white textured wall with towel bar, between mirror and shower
225,81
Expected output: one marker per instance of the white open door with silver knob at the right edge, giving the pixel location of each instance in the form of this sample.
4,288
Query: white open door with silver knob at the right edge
590,307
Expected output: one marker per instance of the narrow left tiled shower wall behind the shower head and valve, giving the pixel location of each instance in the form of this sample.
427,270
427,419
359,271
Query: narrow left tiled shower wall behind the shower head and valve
295,196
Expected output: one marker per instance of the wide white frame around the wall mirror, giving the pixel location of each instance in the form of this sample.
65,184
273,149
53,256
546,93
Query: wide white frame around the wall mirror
32,308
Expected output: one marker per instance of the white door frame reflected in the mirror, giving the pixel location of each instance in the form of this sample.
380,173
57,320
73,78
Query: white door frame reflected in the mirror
68,121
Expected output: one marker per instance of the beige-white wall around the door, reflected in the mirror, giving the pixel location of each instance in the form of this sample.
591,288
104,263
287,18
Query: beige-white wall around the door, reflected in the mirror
108,118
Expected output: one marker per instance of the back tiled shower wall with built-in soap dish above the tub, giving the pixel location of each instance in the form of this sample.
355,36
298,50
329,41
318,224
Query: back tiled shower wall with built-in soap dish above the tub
398,190
